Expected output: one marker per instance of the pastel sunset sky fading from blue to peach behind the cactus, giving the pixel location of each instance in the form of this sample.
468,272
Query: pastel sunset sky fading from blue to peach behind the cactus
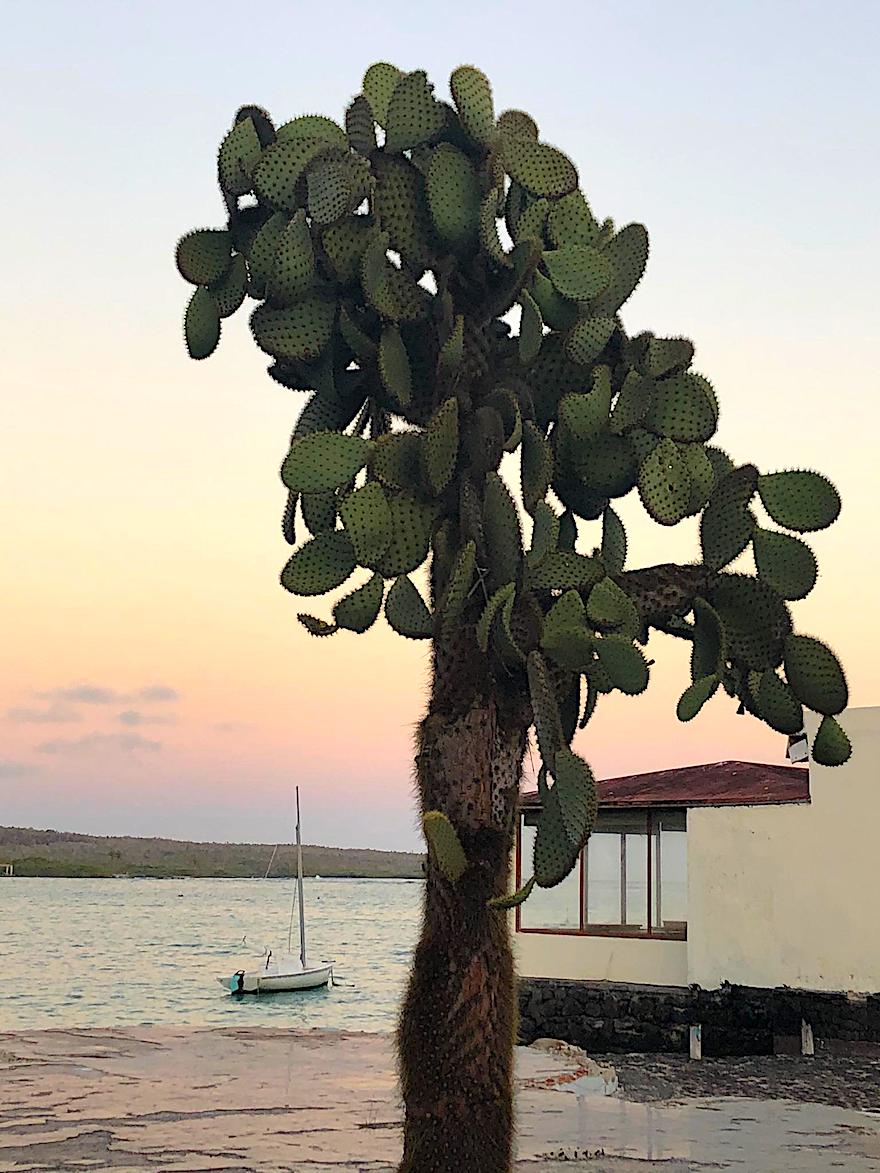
153,677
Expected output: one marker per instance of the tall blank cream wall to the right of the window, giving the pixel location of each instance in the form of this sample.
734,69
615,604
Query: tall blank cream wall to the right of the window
787,896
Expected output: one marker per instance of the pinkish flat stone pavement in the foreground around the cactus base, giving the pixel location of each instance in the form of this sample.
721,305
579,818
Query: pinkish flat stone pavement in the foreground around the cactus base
258,1101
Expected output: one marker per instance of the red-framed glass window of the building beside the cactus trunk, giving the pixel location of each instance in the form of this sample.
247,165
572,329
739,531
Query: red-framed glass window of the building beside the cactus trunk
632,879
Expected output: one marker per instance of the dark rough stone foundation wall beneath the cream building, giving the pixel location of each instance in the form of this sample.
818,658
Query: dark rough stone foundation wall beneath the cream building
736,1020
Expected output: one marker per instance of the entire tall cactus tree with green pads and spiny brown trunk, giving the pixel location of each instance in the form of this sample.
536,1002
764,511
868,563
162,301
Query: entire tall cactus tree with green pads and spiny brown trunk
431,277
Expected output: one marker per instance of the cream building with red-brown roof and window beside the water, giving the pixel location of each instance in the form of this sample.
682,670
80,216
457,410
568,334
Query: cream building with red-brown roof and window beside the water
755,876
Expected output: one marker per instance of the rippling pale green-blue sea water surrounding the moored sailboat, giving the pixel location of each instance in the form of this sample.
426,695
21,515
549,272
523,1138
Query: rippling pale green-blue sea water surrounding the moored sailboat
104,953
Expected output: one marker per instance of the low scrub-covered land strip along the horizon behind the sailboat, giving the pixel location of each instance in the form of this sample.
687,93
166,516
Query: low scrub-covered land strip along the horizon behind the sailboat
72,856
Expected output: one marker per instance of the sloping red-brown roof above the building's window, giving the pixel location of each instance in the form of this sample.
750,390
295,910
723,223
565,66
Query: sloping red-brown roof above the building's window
716,784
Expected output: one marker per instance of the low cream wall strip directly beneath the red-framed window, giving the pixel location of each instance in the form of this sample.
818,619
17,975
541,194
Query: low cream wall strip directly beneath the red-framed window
601,959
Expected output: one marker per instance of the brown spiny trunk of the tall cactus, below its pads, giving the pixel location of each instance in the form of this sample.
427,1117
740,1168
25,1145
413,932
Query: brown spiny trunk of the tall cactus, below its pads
459,1019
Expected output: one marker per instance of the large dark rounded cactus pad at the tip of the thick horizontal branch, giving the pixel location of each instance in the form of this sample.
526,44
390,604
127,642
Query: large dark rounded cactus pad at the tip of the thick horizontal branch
755,621
